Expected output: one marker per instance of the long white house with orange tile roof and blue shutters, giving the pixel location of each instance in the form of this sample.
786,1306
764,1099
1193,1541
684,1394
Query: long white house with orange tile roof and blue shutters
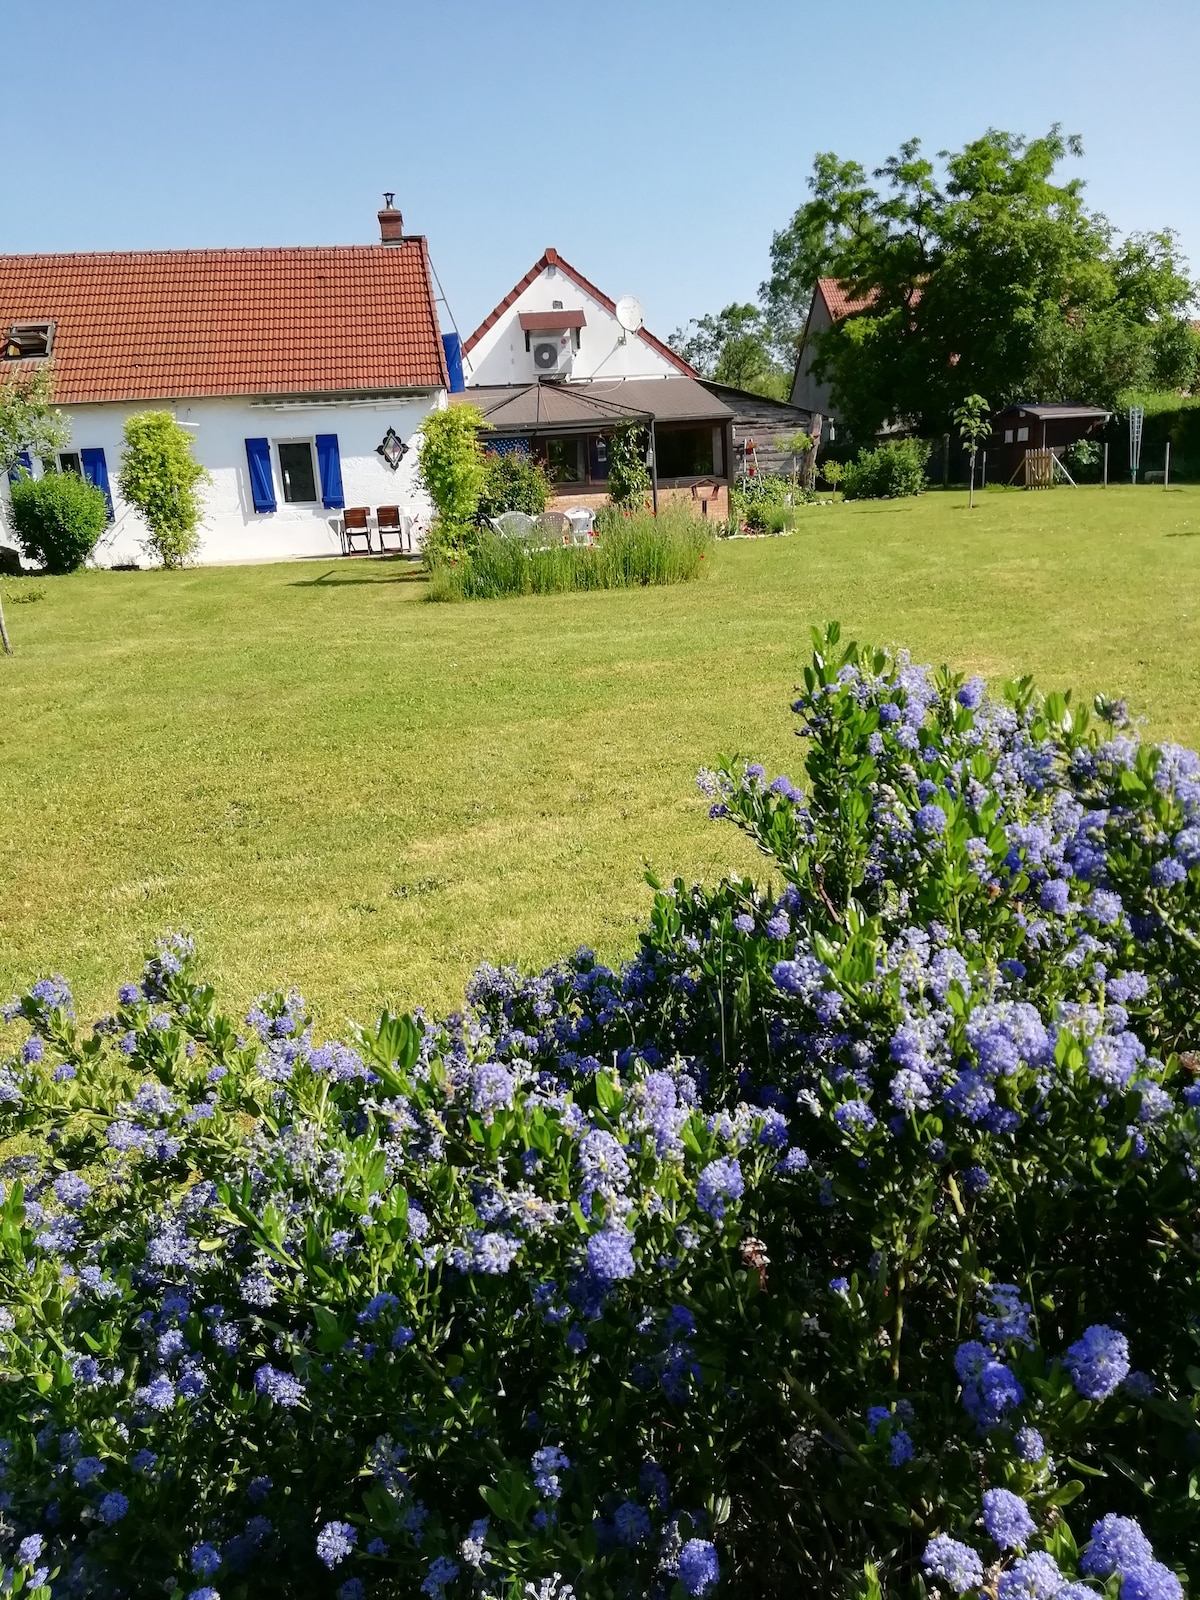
303,377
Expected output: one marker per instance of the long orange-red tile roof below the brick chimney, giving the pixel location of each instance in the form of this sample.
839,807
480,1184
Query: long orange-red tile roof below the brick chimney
162,326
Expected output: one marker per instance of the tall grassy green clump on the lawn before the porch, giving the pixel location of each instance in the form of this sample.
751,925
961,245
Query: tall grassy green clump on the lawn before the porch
634,550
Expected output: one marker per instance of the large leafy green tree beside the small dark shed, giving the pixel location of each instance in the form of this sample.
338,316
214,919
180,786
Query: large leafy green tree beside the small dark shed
986,274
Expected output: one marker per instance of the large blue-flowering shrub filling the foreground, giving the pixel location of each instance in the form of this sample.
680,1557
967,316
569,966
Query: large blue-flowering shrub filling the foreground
846,1242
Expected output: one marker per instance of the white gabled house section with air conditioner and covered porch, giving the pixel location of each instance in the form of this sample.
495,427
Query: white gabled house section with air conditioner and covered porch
554,372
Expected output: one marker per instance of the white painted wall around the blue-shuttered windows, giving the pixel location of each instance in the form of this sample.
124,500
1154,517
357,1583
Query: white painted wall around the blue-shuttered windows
233,530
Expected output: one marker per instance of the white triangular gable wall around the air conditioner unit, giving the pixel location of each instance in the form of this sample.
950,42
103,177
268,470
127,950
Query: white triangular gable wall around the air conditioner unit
502,358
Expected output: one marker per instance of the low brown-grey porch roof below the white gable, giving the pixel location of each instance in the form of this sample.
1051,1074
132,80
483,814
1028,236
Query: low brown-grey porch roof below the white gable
516,409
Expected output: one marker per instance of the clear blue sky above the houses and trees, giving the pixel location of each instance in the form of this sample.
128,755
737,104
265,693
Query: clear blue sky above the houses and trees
655,143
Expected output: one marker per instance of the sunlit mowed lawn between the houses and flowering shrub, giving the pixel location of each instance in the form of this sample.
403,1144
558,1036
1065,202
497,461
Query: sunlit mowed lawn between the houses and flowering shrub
338,786
